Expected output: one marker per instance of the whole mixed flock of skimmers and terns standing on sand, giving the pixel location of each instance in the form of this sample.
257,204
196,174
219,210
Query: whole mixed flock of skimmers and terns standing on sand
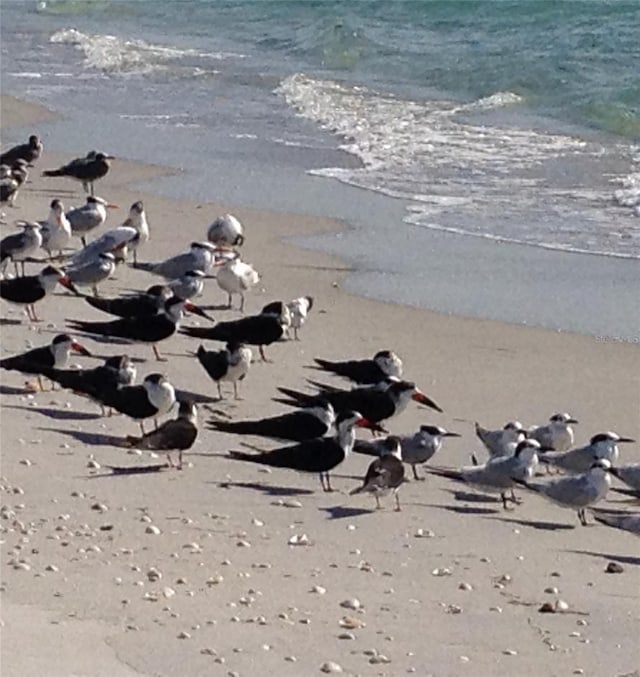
318,428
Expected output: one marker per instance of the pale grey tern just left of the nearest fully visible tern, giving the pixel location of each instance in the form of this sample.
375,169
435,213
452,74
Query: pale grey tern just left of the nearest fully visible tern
499,473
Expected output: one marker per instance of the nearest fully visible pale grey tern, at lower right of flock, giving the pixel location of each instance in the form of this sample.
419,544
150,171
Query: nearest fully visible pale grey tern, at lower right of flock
577,492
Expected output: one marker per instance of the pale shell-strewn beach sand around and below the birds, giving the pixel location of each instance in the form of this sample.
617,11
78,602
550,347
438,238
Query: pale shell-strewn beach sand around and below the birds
234,598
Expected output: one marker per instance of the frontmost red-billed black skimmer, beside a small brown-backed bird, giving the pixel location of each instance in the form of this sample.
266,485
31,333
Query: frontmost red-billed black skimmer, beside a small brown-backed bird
314,456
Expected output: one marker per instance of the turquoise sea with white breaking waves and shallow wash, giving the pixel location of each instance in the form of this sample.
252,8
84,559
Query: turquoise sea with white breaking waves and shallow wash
502,122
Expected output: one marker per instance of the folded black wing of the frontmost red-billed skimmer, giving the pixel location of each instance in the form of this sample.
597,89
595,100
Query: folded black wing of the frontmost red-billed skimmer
320,455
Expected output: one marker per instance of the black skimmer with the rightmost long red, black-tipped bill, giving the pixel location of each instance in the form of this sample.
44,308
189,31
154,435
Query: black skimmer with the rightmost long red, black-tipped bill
377,403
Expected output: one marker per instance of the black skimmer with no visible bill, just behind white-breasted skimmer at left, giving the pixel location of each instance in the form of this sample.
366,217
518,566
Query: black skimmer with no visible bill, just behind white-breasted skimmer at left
116,372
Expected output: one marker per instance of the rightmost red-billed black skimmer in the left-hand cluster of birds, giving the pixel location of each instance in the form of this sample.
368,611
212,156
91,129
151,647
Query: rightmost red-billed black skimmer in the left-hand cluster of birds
150,329
